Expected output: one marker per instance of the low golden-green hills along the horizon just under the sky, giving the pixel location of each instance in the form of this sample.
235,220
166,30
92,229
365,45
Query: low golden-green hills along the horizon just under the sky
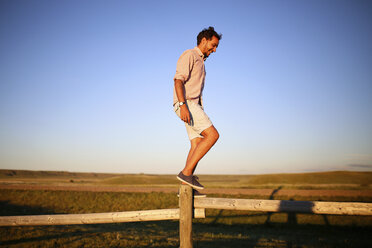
318,178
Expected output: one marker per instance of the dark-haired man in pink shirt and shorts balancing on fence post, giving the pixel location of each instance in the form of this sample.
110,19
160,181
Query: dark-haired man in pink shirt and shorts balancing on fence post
188,103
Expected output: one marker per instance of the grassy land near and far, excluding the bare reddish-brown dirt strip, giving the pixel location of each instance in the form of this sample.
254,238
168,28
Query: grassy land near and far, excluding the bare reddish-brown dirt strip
221,228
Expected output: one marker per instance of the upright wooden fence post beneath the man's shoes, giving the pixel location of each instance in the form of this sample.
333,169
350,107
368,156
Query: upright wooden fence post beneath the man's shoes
186,211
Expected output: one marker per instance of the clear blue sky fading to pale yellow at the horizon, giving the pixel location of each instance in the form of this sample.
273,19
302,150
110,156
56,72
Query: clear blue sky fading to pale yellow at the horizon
87,85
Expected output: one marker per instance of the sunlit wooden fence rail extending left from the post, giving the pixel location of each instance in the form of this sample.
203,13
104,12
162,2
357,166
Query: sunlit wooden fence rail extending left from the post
96,218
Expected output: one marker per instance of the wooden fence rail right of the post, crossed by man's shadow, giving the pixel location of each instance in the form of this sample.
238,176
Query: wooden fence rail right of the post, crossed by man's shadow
316,207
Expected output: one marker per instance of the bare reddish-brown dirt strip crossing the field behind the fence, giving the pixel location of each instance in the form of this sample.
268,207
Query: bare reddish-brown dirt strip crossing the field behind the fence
233,191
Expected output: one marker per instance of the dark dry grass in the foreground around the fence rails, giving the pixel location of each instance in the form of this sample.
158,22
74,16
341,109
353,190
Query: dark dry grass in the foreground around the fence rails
221,228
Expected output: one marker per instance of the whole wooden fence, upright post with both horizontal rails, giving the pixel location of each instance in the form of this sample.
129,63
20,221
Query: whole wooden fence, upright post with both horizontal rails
189,208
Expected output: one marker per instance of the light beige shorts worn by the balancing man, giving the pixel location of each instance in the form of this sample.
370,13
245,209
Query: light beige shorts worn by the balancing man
199,119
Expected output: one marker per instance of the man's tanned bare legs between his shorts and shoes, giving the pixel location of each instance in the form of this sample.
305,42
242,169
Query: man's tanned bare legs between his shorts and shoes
199,147
